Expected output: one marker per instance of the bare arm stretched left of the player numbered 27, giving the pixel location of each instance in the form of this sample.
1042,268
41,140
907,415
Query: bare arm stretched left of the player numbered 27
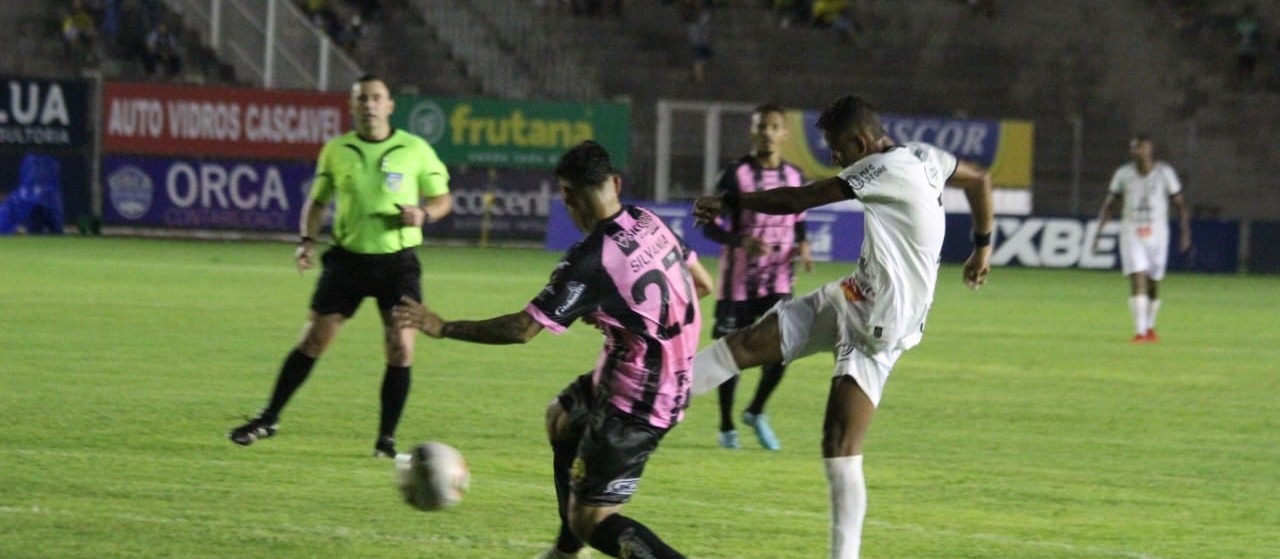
516,328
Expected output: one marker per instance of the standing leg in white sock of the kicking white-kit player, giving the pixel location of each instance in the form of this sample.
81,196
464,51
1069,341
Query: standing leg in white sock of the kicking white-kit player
849,414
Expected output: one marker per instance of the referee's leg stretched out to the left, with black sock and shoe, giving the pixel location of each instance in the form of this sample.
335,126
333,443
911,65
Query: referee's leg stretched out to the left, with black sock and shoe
317,336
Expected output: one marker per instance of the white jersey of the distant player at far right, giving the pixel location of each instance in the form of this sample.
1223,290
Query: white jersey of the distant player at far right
1146,200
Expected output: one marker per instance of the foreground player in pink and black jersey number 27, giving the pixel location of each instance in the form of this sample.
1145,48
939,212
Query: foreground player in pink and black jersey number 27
637,282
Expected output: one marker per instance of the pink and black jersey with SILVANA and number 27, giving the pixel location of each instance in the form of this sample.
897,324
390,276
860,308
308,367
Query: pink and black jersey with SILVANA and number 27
630,278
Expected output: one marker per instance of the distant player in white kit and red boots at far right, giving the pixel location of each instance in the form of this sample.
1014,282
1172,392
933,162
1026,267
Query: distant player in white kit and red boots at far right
1146,189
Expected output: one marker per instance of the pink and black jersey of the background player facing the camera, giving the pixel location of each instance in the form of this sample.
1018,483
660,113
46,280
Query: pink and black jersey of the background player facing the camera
743,277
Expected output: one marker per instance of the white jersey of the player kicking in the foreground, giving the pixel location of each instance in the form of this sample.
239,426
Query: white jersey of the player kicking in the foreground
898,271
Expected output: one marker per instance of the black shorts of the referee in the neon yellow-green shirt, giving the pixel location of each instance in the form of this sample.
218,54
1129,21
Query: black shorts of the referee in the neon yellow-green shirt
350,277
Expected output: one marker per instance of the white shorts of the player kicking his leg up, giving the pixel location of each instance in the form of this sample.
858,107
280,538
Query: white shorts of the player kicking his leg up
825,322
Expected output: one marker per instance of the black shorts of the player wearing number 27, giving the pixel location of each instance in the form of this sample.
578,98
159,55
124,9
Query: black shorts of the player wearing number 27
612,447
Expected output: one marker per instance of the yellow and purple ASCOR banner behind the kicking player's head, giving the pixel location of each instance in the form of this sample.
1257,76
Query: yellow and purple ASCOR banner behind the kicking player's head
1003,146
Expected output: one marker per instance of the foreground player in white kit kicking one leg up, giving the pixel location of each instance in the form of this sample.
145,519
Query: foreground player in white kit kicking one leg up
871,318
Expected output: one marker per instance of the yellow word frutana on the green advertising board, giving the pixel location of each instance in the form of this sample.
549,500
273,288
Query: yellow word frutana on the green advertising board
516,130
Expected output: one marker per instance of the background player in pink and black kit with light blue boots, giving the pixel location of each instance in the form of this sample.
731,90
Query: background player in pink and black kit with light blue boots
756,271
